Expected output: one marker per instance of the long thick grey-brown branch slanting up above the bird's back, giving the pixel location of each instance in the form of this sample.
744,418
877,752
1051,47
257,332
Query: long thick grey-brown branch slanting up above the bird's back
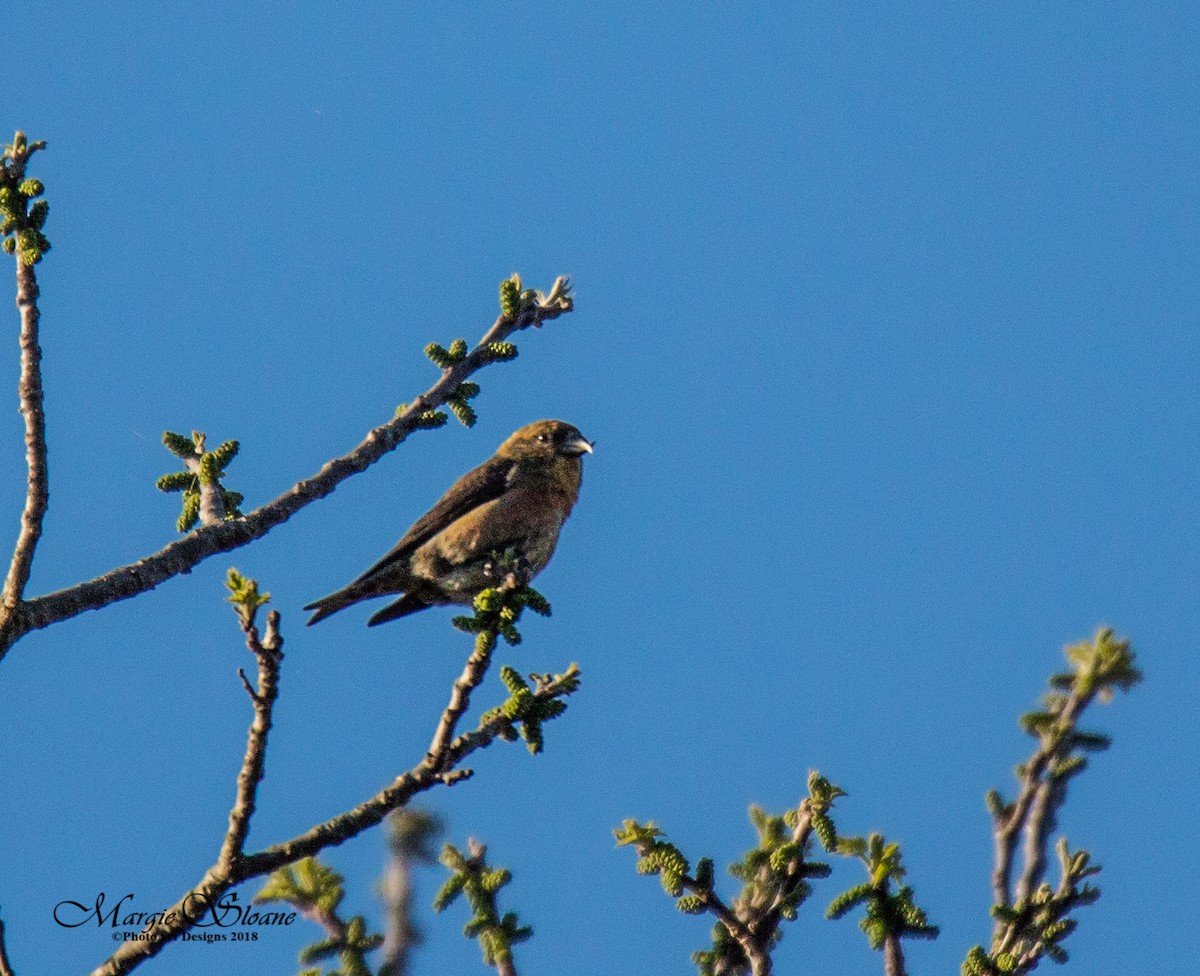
184,555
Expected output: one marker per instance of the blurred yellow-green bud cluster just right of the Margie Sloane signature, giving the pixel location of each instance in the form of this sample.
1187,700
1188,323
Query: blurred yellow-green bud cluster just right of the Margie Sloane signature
316,891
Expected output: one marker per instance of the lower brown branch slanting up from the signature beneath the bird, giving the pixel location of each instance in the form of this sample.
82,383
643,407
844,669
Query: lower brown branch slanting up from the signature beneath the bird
229,873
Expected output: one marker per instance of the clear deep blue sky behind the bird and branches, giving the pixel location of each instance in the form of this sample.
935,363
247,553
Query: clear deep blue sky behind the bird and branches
886,333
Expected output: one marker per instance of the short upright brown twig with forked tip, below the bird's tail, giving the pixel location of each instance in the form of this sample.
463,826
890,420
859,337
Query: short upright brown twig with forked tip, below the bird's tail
269,656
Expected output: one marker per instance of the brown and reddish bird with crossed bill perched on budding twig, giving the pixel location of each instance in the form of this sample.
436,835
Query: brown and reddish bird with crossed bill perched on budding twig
512,507
